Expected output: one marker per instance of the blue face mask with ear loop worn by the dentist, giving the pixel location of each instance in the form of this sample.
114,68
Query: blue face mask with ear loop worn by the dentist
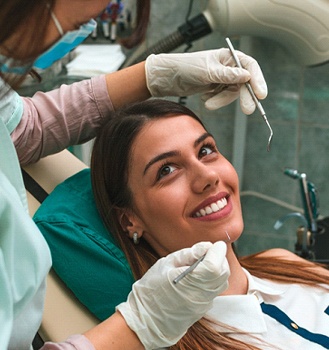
64,45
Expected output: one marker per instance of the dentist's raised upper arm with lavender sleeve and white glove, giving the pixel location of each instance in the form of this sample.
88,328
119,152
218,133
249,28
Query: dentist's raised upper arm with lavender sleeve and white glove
70,115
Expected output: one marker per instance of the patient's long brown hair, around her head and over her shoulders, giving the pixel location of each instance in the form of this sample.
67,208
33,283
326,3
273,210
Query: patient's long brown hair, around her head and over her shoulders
110,172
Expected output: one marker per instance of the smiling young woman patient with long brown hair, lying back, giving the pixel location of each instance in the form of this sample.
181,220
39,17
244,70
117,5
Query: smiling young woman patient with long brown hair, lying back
161,185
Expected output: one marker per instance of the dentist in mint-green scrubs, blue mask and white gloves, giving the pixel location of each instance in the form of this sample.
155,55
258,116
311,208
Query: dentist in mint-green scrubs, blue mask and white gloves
35,34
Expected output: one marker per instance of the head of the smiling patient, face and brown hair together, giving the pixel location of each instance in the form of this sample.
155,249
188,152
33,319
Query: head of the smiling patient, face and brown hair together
169,170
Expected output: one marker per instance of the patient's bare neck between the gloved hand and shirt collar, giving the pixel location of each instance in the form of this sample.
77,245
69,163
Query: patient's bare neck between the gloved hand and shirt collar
238,282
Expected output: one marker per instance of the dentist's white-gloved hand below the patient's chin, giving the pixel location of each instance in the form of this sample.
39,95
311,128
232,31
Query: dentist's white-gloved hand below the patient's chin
159,311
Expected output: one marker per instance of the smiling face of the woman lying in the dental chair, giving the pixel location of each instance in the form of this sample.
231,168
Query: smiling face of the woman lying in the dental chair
184,190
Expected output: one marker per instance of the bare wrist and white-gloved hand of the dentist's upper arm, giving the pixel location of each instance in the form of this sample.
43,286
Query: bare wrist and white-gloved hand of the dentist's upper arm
212,73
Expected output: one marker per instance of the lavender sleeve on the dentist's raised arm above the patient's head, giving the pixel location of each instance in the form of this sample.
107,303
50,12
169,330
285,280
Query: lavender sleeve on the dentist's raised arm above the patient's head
54,120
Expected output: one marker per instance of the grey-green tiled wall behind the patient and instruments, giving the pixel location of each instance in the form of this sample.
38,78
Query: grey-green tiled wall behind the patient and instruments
297,107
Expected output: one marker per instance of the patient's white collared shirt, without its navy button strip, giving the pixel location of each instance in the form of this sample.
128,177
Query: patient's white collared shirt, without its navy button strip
307,307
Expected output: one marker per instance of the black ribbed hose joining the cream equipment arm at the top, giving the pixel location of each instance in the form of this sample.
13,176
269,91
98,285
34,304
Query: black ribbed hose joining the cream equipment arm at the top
190,31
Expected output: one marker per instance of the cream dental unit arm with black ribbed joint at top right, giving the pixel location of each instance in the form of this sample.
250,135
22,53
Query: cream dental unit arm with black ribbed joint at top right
302,27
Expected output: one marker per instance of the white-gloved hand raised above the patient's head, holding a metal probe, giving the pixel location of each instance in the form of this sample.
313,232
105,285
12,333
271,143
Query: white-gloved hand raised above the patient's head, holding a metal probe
213,73
